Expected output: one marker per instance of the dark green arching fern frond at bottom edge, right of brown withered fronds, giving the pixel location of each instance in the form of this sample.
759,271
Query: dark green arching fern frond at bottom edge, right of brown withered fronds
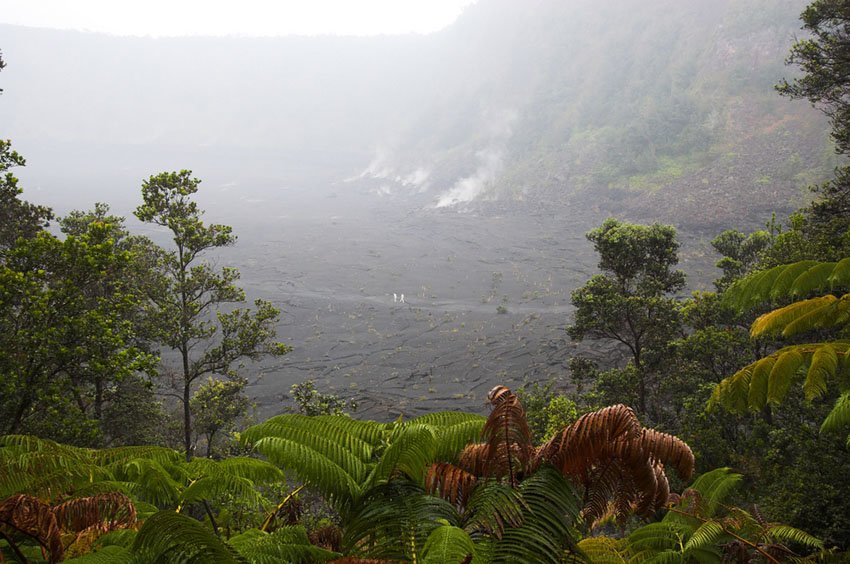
171,537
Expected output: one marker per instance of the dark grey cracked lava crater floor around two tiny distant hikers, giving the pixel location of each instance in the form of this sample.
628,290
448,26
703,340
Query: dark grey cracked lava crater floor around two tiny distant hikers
487,296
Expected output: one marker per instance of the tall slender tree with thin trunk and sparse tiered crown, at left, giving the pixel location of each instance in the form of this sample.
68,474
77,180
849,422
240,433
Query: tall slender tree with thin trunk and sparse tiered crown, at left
188,302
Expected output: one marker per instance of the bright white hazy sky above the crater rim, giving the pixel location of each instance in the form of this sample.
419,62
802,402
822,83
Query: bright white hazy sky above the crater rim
242,17
